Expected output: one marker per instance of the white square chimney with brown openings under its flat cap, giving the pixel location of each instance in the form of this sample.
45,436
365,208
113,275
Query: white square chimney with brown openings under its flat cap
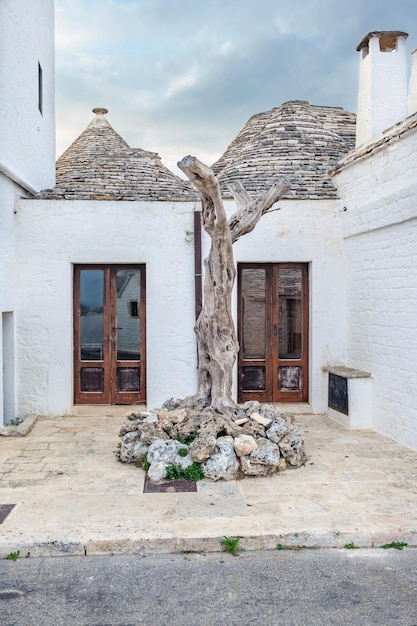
382,94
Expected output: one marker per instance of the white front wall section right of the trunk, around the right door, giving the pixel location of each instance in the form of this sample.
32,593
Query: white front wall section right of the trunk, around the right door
308,232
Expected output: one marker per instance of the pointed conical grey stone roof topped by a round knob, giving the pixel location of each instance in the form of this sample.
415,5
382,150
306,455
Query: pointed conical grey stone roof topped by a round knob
100,165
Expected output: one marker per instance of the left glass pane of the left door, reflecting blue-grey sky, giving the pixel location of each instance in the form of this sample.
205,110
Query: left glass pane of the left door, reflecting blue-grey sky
91,314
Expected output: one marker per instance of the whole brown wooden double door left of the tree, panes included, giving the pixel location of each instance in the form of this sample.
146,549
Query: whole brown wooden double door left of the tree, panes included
109,334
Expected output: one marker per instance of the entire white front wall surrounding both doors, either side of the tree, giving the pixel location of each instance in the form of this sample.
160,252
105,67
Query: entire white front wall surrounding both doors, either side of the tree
52,236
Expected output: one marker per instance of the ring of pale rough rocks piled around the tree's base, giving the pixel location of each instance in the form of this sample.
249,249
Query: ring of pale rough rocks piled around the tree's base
175,442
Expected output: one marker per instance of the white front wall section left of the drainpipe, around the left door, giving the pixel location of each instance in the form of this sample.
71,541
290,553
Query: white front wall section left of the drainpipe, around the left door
54,235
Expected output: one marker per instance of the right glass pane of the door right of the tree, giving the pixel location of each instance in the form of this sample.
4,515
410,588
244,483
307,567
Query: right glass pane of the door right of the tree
290,314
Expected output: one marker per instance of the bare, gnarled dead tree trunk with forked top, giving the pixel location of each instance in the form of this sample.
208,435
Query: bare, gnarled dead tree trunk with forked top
217,343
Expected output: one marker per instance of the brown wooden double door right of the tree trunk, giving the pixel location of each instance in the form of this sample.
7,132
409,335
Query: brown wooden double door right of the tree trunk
273,332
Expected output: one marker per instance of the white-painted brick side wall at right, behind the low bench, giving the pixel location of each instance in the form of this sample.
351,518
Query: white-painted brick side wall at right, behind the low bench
380,234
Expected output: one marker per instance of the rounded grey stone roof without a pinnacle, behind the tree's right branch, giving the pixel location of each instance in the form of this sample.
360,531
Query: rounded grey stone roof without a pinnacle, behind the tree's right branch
298,141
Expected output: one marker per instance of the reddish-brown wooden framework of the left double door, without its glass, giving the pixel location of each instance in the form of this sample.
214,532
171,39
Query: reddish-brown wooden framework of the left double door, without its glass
109,310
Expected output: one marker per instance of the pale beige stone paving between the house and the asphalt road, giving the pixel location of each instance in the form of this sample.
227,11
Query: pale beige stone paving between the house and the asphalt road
73,497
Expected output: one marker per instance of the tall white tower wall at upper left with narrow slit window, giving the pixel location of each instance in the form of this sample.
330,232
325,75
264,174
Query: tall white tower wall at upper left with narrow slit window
27,136
